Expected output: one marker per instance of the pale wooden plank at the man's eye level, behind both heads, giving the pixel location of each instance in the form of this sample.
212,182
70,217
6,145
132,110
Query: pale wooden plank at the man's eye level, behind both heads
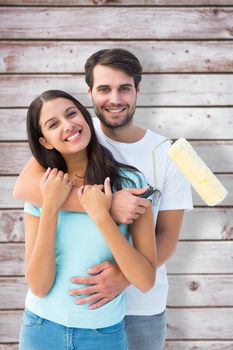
156,90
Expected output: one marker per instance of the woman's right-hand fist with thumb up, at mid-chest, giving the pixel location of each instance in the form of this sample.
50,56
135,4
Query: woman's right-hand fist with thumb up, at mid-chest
94,200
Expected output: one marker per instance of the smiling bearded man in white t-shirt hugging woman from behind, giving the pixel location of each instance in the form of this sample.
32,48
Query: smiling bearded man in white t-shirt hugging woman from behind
113,78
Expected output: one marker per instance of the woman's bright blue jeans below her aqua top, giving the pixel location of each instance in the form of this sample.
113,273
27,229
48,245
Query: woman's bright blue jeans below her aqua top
40,334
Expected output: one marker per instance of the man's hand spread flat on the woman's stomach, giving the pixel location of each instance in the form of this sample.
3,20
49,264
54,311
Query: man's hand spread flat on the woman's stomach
105,284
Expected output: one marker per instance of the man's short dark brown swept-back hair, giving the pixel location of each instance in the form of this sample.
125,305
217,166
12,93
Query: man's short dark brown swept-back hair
115,58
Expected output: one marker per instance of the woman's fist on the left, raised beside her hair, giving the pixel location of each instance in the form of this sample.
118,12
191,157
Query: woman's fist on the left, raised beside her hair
55,187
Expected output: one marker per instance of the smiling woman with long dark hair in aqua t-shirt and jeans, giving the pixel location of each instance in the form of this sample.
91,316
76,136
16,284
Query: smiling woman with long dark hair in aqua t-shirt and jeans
62,244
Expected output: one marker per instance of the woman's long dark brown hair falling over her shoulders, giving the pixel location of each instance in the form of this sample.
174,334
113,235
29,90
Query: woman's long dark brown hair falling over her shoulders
101,163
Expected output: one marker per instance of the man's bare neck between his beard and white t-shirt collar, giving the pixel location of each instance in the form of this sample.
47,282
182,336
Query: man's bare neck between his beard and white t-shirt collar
127,134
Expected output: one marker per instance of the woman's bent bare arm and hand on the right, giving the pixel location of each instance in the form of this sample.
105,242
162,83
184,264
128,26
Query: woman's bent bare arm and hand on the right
138,262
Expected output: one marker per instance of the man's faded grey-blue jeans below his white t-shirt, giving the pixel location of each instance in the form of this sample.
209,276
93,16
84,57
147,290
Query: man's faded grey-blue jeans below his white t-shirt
146,332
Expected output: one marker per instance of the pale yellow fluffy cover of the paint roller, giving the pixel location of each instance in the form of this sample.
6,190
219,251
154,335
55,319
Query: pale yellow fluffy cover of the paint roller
197,172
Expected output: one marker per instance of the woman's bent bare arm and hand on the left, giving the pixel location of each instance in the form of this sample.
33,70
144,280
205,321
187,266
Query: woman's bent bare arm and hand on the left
40,234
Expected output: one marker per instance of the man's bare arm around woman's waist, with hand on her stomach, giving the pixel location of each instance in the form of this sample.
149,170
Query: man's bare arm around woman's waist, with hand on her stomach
107,280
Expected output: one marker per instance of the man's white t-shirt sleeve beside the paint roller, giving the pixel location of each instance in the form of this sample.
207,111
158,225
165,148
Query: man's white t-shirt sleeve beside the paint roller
176,193
